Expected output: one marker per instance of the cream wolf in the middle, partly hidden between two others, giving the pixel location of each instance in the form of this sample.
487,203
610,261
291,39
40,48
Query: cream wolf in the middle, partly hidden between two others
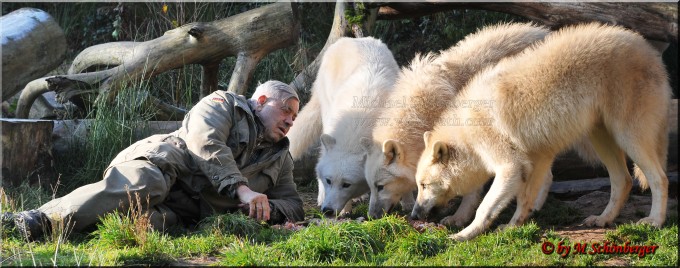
426,87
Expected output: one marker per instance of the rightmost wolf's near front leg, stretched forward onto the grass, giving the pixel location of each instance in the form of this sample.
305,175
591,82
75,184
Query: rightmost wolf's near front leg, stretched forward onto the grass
503,189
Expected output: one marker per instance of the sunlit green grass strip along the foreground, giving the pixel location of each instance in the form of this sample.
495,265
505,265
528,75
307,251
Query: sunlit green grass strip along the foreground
236,240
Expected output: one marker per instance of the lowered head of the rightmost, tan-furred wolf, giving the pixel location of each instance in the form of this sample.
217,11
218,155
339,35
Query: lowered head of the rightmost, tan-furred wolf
444,172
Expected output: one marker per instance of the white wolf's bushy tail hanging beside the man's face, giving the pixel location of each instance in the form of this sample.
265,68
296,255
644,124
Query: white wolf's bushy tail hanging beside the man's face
307,128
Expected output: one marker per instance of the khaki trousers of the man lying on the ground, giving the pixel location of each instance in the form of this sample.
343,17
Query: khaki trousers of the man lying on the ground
82,208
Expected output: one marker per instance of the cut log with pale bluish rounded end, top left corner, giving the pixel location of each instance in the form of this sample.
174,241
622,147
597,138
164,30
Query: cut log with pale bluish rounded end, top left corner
33,44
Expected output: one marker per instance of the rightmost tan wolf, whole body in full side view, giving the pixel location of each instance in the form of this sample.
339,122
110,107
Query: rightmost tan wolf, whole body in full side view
605,83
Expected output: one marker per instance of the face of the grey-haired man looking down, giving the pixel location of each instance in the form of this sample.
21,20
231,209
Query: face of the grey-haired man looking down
277,116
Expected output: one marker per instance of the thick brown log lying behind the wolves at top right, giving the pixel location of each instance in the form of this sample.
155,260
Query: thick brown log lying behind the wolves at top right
656,21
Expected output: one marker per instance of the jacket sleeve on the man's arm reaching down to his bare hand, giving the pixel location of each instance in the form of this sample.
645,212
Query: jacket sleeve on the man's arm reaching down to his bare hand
208,126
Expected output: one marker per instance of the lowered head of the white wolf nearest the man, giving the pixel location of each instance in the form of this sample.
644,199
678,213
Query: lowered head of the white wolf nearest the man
341,172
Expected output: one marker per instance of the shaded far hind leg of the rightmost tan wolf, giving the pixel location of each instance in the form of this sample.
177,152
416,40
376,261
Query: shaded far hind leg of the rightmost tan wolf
614,160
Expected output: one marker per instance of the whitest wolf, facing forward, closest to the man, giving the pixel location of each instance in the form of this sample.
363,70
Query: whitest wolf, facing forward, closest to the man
354,75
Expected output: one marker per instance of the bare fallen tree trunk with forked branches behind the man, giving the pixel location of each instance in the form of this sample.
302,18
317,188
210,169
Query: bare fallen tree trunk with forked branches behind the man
249,36
